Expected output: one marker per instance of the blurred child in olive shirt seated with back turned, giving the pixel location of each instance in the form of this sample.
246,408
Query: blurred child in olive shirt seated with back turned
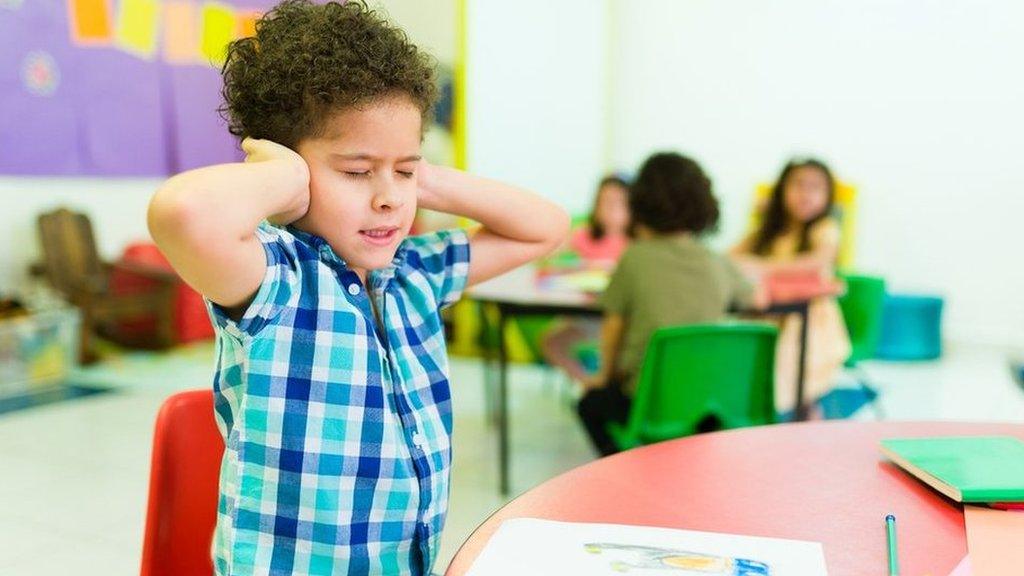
666,278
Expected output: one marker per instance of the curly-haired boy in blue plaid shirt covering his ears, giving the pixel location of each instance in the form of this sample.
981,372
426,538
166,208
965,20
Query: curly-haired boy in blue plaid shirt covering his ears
332,386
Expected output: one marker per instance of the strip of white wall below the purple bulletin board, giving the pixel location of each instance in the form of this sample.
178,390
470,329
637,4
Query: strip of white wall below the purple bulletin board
117,209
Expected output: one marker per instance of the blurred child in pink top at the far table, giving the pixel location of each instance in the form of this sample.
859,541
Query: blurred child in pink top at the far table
600,244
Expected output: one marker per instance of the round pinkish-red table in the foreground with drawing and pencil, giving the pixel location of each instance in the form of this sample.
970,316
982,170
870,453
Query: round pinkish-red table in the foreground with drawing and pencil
825,482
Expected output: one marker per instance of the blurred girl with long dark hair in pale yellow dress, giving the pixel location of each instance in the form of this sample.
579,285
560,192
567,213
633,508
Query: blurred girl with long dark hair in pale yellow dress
798,235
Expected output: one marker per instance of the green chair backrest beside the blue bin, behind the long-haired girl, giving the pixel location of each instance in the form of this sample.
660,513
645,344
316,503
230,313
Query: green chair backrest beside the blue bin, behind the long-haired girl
863,306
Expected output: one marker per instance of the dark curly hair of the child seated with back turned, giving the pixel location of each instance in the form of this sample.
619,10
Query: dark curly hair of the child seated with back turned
673,194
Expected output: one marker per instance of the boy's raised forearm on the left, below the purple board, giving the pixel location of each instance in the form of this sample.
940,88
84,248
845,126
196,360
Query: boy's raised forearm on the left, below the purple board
230,200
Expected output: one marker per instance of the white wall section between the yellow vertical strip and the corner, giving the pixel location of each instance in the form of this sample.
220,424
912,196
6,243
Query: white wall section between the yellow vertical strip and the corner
537,98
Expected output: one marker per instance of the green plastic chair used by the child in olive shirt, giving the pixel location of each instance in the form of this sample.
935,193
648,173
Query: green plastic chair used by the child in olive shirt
695,376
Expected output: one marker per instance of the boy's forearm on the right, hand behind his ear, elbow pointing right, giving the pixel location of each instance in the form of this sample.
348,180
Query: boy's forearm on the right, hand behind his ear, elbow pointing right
503,210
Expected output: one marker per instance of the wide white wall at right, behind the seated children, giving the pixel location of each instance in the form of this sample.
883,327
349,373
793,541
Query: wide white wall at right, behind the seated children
921,105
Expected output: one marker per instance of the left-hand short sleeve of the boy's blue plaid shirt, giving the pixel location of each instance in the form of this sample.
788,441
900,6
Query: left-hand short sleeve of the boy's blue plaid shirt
280,286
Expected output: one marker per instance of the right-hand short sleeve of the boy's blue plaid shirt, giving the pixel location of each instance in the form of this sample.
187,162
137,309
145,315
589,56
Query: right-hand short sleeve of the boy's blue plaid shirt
443,260
